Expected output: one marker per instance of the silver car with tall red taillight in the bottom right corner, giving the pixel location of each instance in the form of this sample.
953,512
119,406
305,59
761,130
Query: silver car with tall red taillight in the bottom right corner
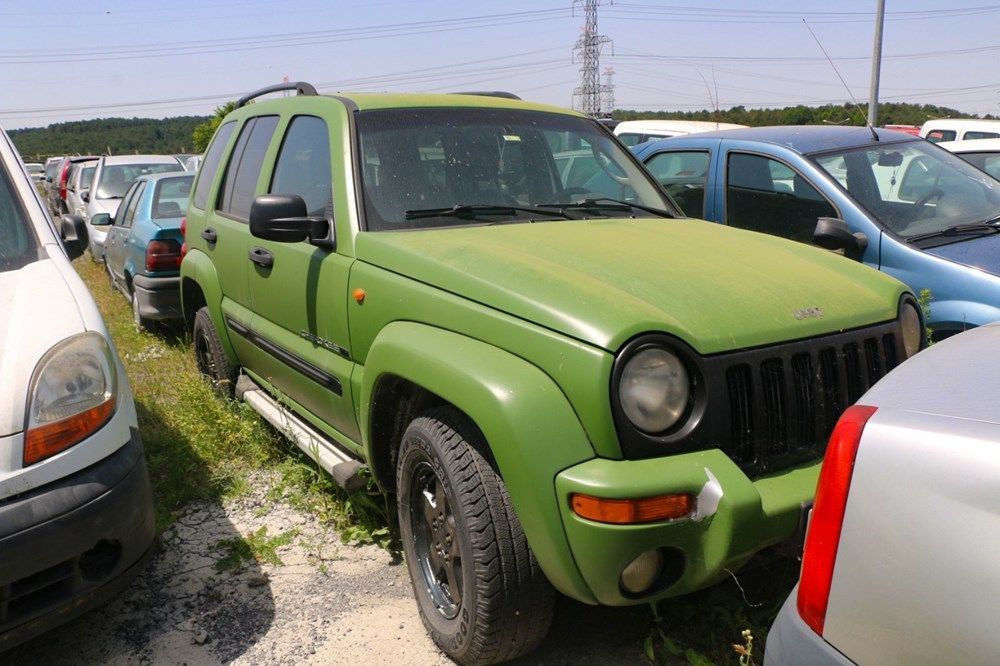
900,563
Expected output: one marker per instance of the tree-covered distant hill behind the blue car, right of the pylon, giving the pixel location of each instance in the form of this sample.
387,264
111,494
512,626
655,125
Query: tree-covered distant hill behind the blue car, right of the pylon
846,114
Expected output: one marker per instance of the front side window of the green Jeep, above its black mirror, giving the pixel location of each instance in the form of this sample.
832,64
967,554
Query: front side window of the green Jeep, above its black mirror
303,165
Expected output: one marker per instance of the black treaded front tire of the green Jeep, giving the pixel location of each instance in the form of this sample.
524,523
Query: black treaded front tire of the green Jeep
506,602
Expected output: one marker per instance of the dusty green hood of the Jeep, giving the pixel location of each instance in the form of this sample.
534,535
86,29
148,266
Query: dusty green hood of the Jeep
605,281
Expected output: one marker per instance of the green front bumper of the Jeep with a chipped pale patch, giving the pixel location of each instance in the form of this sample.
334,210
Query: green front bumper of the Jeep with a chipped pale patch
735,518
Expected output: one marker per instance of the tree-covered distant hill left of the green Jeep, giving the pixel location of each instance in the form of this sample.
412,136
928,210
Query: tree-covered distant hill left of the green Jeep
97,137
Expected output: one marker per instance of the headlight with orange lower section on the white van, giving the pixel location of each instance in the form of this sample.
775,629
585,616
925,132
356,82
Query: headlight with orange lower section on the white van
72,394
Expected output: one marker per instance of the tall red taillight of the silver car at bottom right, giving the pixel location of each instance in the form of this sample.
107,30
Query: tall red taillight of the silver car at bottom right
823,538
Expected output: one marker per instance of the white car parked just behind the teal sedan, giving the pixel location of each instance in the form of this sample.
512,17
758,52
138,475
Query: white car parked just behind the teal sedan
112,178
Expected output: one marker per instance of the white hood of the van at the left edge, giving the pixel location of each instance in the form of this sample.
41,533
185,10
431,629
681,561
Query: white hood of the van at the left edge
27,331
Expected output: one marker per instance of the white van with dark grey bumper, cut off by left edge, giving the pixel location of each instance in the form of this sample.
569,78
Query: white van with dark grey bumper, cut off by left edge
76,512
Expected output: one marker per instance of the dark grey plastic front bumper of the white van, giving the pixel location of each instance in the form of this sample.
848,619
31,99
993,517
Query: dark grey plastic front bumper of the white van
69,546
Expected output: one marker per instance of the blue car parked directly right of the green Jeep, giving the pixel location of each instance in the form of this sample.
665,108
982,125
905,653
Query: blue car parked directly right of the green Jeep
896,202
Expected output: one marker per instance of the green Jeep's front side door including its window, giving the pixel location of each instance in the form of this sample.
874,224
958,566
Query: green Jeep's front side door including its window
300,299
